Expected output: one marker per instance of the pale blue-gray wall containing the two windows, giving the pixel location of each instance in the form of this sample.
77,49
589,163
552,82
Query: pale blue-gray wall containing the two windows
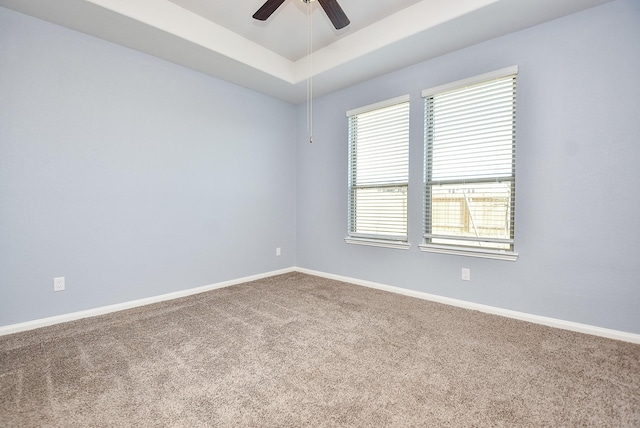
578,175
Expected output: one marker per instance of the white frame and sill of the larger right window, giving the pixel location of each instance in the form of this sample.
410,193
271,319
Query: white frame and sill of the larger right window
442,248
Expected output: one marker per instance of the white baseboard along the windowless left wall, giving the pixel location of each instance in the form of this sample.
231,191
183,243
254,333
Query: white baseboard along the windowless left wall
43,322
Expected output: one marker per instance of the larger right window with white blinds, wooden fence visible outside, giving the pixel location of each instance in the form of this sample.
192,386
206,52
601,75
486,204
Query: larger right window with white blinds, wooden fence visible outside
470,129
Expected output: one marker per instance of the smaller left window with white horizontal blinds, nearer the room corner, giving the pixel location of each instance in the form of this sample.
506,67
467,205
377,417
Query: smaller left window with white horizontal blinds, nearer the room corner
379,173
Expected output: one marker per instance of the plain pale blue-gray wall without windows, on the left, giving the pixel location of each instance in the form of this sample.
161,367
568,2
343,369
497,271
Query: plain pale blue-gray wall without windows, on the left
130,176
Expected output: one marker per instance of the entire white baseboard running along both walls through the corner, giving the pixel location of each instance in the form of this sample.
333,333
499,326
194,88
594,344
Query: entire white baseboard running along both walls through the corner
551,322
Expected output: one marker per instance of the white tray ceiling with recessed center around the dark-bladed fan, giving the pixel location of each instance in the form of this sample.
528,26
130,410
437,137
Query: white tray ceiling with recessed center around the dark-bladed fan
220,38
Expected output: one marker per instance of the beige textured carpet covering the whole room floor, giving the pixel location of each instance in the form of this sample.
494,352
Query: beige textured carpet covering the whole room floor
297,350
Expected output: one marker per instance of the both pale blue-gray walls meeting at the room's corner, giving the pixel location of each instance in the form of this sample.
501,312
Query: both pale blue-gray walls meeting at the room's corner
133,177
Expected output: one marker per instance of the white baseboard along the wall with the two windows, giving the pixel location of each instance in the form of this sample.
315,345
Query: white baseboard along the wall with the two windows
537,319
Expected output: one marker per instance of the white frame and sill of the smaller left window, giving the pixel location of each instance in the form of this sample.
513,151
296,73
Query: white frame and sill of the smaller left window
372,239
